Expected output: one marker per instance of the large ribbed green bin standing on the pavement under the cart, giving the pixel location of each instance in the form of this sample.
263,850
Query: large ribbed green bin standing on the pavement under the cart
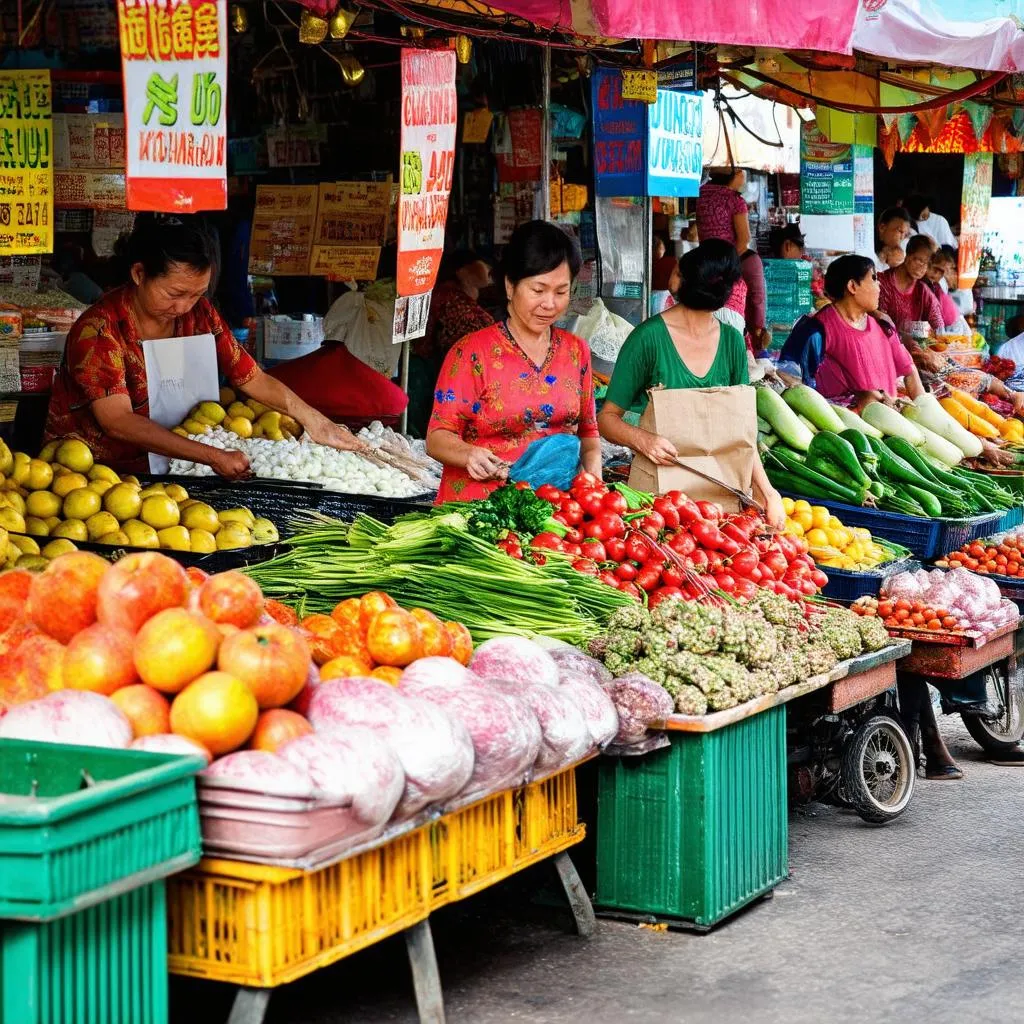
695,832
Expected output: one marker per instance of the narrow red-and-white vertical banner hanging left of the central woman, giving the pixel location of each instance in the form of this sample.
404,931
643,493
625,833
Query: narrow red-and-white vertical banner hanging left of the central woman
430,115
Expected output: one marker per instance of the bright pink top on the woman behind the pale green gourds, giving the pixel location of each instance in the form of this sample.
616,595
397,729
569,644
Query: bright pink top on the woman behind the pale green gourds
860,361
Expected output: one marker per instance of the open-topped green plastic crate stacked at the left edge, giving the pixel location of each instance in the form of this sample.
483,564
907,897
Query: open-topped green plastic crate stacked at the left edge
75,844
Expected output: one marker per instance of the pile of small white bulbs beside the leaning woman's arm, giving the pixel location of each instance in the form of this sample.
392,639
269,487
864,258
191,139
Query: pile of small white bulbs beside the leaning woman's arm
305,460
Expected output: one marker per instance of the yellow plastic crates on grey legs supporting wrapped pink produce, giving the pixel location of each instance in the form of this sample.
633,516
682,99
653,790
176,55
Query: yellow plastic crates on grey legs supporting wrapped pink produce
259,926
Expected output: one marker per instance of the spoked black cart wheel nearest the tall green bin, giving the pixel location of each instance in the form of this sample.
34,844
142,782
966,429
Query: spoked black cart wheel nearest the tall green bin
879,771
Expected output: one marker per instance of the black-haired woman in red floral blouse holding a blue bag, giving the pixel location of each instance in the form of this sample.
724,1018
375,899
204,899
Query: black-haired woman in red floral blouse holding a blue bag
520,380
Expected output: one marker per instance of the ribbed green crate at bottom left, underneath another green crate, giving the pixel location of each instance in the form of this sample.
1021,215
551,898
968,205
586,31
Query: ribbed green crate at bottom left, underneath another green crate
107,965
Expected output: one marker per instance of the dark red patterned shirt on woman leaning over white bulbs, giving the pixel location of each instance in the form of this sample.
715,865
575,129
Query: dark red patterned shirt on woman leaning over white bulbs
104,357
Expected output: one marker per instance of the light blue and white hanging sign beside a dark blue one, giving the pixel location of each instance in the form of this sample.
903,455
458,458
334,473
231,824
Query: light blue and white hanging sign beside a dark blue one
675,144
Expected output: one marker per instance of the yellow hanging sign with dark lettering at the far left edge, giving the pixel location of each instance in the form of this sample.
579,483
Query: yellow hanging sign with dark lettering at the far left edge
26,163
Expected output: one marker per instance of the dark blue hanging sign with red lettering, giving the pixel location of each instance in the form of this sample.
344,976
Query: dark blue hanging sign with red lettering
620,131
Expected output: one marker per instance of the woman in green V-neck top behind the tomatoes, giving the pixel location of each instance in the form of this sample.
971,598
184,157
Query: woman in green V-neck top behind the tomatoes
685,348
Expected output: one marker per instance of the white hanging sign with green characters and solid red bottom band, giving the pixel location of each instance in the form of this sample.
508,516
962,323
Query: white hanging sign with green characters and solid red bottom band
175,60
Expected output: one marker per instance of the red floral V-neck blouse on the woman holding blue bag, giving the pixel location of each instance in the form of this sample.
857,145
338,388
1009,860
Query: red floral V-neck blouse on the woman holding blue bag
491,396
